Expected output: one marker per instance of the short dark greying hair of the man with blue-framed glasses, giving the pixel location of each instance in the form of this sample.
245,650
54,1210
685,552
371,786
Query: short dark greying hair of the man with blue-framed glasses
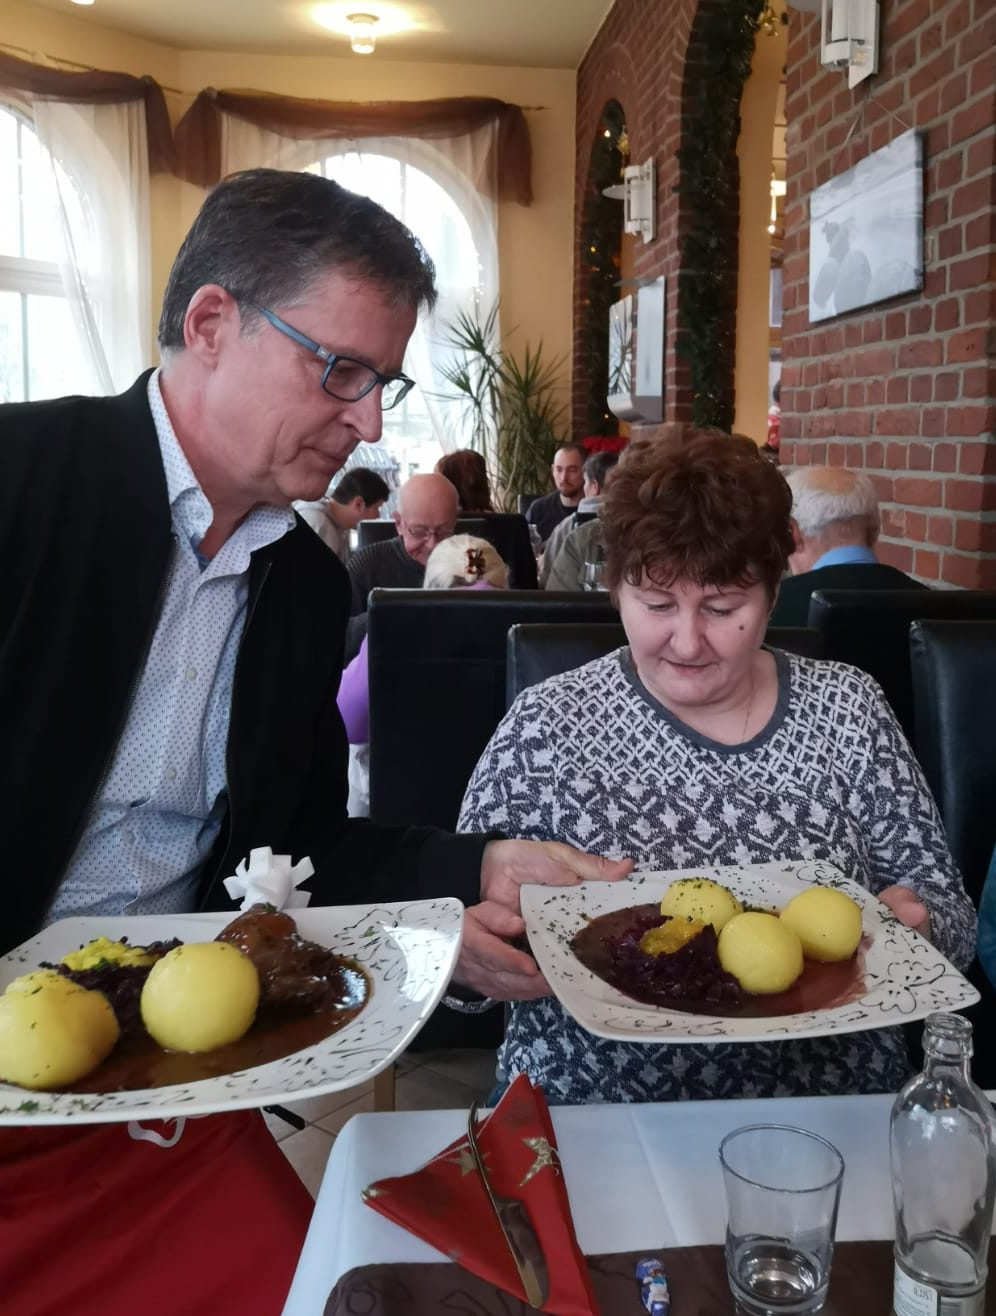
266,235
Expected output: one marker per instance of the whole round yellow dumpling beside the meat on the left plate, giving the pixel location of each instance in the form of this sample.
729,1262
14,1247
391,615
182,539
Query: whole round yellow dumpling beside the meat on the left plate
201,997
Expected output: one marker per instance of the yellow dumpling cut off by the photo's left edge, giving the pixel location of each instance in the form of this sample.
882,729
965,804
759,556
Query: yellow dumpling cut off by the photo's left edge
53,1031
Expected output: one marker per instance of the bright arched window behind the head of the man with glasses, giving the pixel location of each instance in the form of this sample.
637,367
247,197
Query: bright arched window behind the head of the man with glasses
434,215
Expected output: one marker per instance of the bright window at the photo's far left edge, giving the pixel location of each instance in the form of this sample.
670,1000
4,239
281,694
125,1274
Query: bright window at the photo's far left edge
40,349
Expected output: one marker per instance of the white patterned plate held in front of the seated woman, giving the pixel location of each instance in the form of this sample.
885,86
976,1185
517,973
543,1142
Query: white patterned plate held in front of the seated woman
906,978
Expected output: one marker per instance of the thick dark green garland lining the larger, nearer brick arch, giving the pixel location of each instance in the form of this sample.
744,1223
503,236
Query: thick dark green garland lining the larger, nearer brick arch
710,188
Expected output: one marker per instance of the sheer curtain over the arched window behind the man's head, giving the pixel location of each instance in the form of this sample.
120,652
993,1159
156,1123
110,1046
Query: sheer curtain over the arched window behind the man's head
444,191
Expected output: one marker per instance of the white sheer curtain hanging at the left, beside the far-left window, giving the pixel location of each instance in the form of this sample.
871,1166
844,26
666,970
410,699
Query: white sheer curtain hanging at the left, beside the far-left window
99,157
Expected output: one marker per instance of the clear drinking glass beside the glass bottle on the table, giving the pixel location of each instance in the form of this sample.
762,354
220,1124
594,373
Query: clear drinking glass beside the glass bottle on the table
784,1189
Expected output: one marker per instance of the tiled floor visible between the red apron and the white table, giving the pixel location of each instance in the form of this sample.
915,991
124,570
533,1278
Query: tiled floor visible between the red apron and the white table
426,1081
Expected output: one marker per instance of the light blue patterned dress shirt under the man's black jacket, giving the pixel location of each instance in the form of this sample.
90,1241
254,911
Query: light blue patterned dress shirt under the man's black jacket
162,799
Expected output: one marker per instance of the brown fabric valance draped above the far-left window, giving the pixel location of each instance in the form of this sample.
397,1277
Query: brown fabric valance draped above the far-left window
98,89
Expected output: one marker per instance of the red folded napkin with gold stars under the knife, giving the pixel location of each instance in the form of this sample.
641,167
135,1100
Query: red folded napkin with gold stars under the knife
447,1203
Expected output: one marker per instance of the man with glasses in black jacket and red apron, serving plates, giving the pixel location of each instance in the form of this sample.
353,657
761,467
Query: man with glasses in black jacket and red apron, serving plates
172,651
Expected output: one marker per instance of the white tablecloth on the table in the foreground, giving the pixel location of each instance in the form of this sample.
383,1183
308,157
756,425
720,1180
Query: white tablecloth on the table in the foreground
639,1177
